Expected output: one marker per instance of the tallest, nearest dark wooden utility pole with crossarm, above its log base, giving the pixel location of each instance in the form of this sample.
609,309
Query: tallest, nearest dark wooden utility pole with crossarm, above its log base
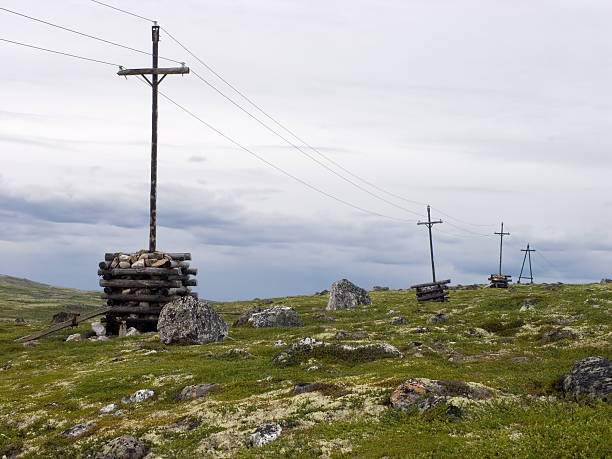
155,71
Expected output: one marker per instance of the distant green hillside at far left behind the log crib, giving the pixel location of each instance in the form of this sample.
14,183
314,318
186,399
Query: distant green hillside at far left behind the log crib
38,302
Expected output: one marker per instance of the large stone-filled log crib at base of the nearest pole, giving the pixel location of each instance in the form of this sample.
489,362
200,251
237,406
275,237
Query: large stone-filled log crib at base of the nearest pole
138,285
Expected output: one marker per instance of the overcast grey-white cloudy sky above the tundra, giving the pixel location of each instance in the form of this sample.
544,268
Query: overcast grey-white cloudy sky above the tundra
488,111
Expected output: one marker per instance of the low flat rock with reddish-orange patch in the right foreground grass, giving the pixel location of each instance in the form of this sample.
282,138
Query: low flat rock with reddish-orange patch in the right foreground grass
420,394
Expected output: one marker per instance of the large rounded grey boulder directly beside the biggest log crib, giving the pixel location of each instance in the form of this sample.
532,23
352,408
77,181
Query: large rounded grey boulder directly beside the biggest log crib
188,321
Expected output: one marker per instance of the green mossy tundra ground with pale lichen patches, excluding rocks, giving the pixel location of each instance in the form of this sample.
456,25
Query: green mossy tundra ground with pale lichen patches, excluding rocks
50,387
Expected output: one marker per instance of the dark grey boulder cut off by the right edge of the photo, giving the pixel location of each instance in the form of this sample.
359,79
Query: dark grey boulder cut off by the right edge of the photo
590,377
